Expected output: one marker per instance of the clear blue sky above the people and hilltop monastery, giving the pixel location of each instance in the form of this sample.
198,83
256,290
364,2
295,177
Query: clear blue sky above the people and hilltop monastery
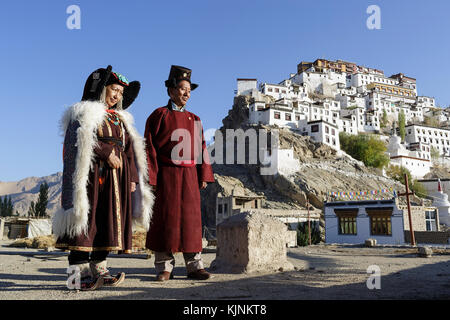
44,64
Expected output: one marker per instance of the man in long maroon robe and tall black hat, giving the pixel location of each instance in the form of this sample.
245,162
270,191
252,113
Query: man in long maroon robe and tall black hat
179,167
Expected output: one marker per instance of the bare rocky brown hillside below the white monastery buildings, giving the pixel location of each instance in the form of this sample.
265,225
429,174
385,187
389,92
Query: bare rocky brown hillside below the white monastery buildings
321,170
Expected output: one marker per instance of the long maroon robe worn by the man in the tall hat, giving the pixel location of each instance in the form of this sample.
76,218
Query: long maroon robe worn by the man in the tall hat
176,224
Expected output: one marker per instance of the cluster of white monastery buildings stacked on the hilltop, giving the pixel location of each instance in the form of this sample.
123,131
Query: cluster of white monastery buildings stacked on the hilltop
326,97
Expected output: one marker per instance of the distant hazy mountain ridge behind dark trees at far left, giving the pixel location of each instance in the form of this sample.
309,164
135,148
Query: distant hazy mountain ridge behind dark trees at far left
26,190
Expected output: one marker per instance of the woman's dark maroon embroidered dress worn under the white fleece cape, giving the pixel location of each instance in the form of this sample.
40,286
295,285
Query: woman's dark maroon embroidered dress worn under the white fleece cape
108,189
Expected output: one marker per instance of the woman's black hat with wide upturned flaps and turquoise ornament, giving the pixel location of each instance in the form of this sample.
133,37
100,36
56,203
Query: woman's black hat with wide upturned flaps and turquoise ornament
101,78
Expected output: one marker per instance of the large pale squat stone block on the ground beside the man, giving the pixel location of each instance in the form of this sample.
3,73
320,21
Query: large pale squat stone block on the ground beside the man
250,242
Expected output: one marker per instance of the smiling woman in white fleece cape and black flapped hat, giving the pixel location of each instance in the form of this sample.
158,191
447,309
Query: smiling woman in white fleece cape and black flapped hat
105,170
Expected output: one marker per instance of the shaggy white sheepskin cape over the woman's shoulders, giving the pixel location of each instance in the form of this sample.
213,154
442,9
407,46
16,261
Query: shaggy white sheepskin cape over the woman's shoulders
90,114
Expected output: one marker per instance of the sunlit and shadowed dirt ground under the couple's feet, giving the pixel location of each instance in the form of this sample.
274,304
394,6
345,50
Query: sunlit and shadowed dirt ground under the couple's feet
321,272
